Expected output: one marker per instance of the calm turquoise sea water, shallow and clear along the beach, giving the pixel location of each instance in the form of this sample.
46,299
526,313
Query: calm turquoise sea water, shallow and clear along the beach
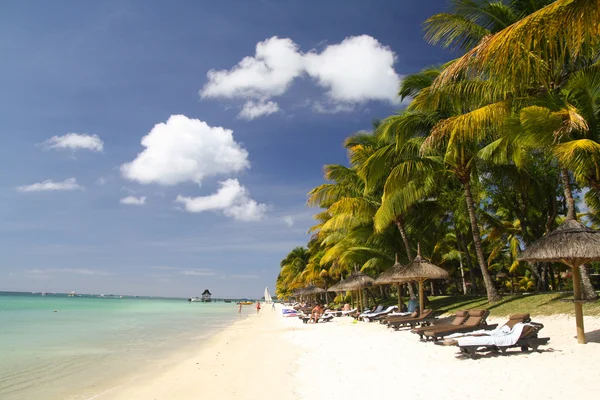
73,348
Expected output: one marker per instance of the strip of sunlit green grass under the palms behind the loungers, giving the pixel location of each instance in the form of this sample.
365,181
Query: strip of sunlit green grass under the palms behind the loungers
535,304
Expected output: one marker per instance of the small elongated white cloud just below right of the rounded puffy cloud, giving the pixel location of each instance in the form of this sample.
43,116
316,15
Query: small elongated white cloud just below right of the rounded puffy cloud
232,199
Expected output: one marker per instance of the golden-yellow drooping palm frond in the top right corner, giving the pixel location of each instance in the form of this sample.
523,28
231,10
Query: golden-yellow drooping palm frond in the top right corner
536,49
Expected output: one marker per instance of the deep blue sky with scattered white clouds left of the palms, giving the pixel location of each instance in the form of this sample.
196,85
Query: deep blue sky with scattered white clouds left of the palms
214,197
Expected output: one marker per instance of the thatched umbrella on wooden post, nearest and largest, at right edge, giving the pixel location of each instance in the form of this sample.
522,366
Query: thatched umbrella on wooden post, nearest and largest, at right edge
573,244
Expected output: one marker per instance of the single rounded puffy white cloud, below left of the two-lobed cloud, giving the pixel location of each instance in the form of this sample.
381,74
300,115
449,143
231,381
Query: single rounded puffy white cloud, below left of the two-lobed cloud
185,149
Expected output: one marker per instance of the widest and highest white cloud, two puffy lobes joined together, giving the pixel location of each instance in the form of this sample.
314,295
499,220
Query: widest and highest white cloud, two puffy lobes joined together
357,70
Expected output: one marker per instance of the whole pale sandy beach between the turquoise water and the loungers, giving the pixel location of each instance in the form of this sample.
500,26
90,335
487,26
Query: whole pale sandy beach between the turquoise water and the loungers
268,356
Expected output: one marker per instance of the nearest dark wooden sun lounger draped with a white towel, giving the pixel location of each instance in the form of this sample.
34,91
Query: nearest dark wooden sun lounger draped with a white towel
521,335
